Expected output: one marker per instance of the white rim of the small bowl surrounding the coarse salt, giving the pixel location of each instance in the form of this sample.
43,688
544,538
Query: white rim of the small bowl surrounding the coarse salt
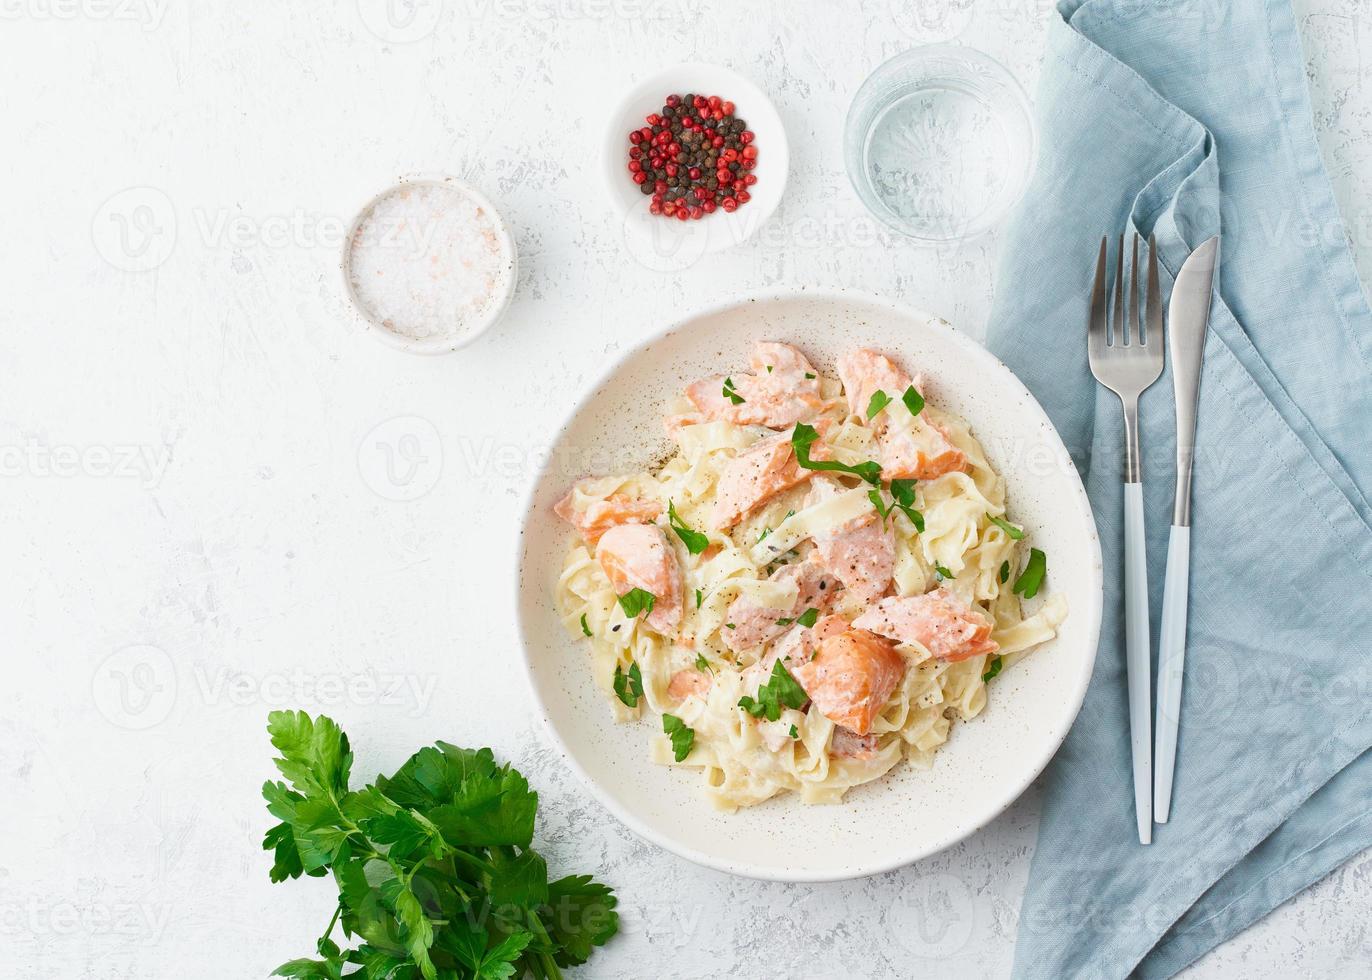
447,342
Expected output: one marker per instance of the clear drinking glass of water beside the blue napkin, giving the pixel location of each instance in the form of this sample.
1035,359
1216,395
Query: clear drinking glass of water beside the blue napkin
939,143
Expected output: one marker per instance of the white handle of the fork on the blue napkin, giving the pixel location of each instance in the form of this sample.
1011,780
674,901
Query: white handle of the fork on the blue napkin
1138,657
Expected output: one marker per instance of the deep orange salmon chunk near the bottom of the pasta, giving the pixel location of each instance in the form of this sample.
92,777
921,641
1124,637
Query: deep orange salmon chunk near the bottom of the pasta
851,679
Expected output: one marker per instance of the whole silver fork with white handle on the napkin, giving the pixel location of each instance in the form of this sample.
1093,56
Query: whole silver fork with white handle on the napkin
1126,355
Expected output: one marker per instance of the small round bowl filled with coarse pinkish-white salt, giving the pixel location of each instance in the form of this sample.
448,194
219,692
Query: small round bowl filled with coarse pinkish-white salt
429,263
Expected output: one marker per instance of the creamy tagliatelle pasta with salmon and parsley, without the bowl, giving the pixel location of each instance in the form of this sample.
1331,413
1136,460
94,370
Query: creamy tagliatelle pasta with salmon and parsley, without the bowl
814,587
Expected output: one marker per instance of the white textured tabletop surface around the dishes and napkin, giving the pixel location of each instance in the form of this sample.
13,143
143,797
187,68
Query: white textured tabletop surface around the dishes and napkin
200,524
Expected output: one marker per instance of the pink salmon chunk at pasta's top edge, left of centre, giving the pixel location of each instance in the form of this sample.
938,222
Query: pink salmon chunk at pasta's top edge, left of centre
783,390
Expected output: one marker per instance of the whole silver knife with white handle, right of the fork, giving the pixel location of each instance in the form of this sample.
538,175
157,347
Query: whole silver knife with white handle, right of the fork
1189,316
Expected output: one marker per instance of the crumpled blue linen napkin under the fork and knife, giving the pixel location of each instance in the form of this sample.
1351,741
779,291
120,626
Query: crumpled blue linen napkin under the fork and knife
1189,119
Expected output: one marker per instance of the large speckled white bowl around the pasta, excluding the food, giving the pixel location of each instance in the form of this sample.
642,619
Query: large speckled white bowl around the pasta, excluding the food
909,815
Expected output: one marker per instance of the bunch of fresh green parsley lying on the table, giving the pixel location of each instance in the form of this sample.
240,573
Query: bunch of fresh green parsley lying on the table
436,874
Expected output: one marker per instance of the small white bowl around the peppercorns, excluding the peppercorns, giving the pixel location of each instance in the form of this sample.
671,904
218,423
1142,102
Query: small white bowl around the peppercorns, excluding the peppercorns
667,244
